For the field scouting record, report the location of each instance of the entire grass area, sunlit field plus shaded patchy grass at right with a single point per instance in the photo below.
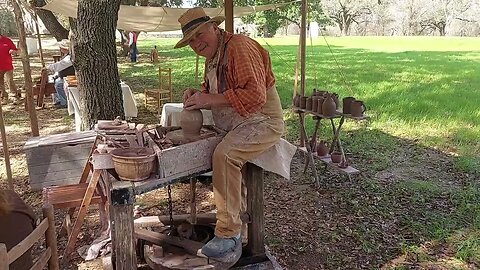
(421, 90)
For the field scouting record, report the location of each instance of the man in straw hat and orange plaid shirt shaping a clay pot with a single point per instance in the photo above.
(239, 88)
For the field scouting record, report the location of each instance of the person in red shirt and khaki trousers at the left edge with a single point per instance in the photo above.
(7, 48)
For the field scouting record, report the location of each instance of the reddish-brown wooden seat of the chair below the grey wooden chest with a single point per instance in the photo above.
(68, 196)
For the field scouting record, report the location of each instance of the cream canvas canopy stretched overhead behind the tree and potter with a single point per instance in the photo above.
(152, 19)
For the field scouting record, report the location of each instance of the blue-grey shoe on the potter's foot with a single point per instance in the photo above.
(223, 248)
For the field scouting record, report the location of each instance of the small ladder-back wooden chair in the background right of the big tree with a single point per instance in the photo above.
(164, 93)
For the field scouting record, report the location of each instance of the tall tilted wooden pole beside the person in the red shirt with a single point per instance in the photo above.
(27, 72)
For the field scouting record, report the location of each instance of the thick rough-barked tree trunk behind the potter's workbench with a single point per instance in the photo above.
(96, 61)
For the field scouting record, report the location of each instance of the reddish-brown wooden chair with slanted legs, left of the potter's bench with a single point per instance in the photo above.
(80, 196)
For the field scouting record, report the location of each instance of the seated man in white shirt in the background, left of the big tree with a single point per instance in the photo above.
(62, 69)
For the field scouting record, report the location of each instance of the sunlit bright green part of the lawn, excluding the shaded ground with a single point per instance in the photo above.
(421, 88)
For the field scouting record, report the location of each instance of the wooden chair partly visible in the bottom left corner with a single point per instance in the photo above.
(49, 256)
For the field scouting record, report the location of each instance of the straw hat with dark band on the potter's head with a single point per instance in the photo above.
(191, 21)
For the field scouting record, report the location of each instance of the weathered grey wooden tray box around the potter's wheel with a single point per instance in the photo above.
(186, 159)
